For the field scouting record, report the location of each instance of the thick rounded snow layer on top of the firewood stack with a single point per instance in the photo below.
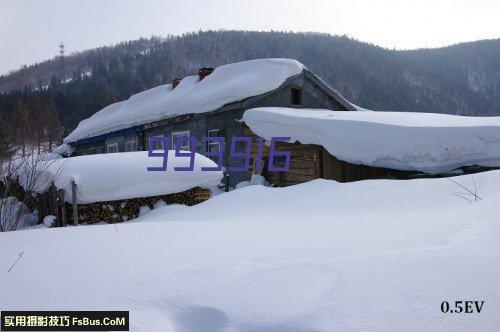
(107, 177)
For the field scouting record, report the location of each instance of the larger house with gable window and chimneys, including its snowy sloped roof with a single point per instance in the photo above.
(211, 103)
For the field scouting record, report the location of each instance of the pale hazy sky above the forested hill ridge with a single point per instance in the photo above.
(31, 30)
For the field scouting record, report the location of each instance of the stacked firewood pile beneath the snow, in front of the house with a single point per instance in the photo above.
(126, 209)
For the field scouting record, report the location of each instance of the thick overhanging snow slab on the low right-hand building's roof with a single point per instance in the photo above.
(427, 142)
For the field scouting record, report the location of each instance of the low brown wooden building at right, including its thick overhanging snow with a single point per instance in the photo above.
(350, 146)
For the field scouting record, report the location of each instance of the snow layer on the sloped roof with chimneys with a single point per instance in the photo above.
(227, 84)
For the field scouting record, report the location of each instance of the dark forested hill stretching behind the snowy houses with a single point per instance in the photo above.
(460, 79)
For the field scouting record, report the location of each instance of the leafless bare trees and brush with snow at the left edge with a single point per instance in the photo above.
(24, 169)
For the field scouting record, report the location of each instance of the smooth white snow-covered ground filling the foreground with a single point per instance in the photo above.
(320, 256)
